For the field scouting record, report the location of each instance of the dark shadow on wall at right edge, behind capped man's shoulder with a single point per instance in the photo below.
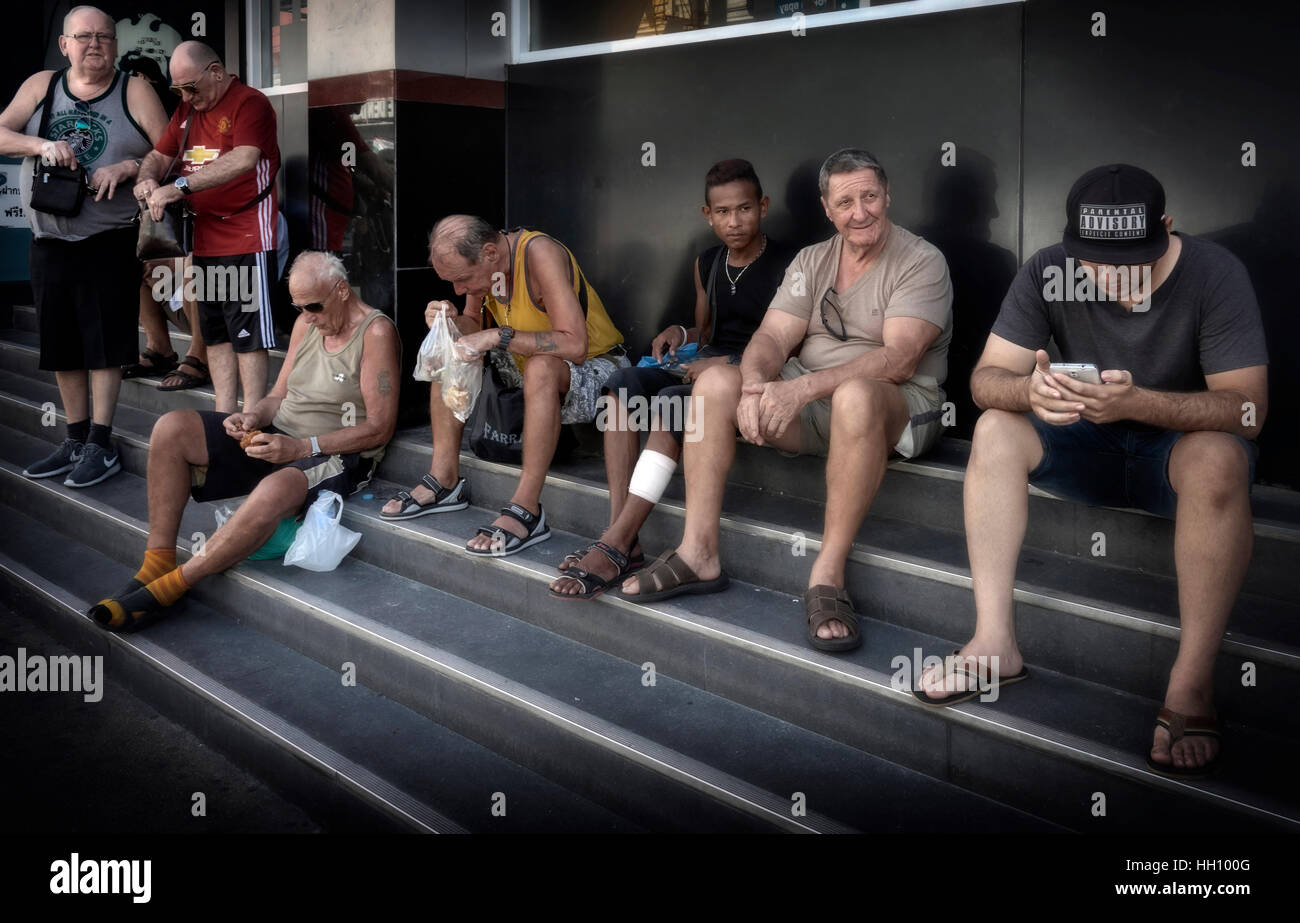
(1267, 246)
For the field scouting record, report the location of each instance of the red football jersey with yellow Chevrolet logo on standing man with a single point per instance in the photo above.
(244, 116)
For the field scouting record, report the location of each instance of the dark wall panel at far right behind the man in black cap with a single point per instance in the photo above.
(1177, 89)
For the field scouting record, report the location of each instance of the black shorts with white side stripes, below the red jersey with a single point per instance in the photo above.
(235, 298)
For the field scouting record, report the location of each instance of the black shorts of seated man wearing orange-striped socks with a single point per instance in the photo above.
(231, 473)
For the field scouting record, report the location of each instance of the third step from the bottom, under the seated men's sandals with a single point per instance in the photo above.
(747, 647)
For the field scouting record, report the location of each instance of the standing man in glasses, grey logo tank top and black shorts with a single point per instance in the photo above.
(85, 278)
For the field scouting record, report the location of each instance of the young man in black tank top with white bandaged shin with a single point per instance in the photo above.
(735, 283)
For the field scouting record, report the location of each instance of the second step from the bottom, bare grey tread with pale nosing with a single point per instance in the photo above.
(496, 679)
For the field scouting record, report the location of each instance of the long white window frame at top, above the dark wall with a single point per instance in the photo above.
(521, 53)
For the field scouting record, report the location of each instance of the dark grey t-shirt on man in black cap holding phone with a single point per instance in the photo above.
(1202, 320)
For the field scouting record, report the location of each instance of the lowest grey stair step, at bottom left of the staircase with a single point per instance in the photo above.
(348, 755)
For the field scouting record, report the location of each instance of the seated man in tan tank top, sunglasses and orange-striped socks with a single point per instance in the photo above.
(343, 367)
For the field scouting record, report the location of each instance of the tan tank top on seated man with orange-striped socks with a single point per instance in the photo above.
(326, 388)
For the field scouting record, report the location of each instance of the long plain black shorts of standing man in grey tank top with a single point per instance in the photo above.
(88, 298)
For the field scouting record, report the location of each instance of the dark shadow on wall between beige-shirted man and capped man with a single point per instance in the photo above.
(961, 206)
